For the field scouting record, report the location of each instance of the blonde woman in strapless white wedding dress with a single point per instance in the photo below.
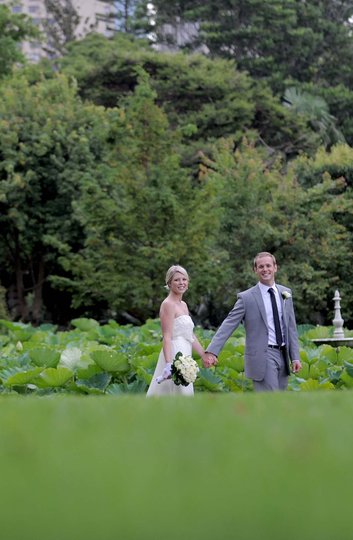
(178, 334)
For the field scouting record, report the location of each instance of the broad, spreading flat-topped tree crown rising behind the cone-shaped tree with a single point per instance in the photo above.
(205, 98)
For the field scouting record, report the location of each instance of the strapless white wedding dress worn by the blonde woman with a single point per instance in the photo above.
(182, 338)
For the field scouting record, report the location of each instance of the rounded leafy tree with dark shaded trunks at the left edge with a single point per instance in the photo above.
(49, 142)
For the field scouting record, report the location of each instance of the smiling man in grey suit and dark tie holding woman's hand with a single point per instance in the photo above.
(271, 343)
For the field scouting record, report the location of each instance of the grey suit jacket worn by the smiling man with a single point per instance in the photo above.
(249, 309)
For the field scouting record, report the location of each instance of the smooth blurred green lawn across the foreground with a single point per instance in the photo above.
(230, 466)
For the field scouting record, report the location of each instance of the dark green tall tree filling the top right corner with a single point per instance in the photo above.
(276, 39)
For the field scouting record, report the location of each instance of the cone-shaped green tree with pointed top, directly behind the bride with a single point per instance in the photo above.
(143, 215)
